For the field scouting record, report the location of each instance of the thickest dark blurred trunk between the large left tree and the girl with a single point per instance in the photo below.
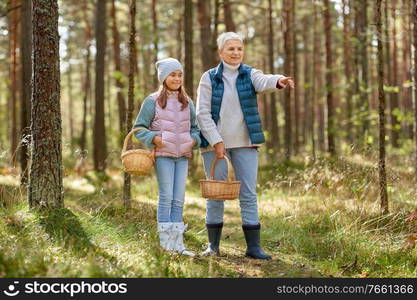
(99, 134)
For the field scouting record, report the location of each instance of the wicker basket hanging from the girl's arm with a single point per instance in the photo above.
(136, 161)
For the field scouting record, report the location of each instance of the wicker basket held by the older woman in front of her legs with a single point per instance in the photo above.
(220, 190)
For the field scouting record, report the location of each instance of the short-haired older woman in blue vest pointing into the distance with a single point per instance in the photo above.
(230, 124)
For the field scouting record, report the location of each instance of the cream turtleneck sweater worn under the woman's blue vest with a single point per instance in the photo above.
(231, 128)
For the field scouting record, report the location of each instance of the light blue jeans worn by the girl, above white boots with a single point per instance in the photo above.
(171, 174)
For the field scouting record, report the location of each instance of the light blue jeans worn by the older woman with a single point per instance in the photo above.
(245, 164)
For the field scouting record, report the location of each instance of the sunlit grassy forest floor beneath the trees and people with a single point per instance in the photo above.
(318, 219)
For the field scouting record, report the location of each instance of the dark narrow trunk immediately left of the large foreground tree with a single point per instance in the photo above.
(26, 53)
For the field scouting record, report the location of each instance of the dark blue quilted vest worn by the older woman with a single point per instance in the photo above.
(247, 99)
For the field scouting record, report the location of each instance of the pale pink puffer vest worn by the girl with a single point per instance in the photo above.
(173, 125)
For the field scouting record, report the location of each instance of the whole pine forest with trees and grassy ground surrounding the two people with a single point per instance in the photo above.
(337, 175)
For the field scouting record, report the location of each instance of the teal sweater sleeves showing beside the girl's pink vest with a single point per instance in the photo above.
(146, 115)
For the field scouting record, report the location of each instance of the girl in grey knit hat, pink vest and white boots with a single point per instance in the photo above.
(170, 126)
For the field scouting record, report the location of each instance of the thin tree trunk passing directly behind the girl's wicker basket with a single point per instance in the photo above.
(129, 112)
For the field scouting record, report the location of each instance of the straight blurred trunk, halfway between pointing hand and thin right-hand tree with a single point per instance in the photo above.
(329, 79)
